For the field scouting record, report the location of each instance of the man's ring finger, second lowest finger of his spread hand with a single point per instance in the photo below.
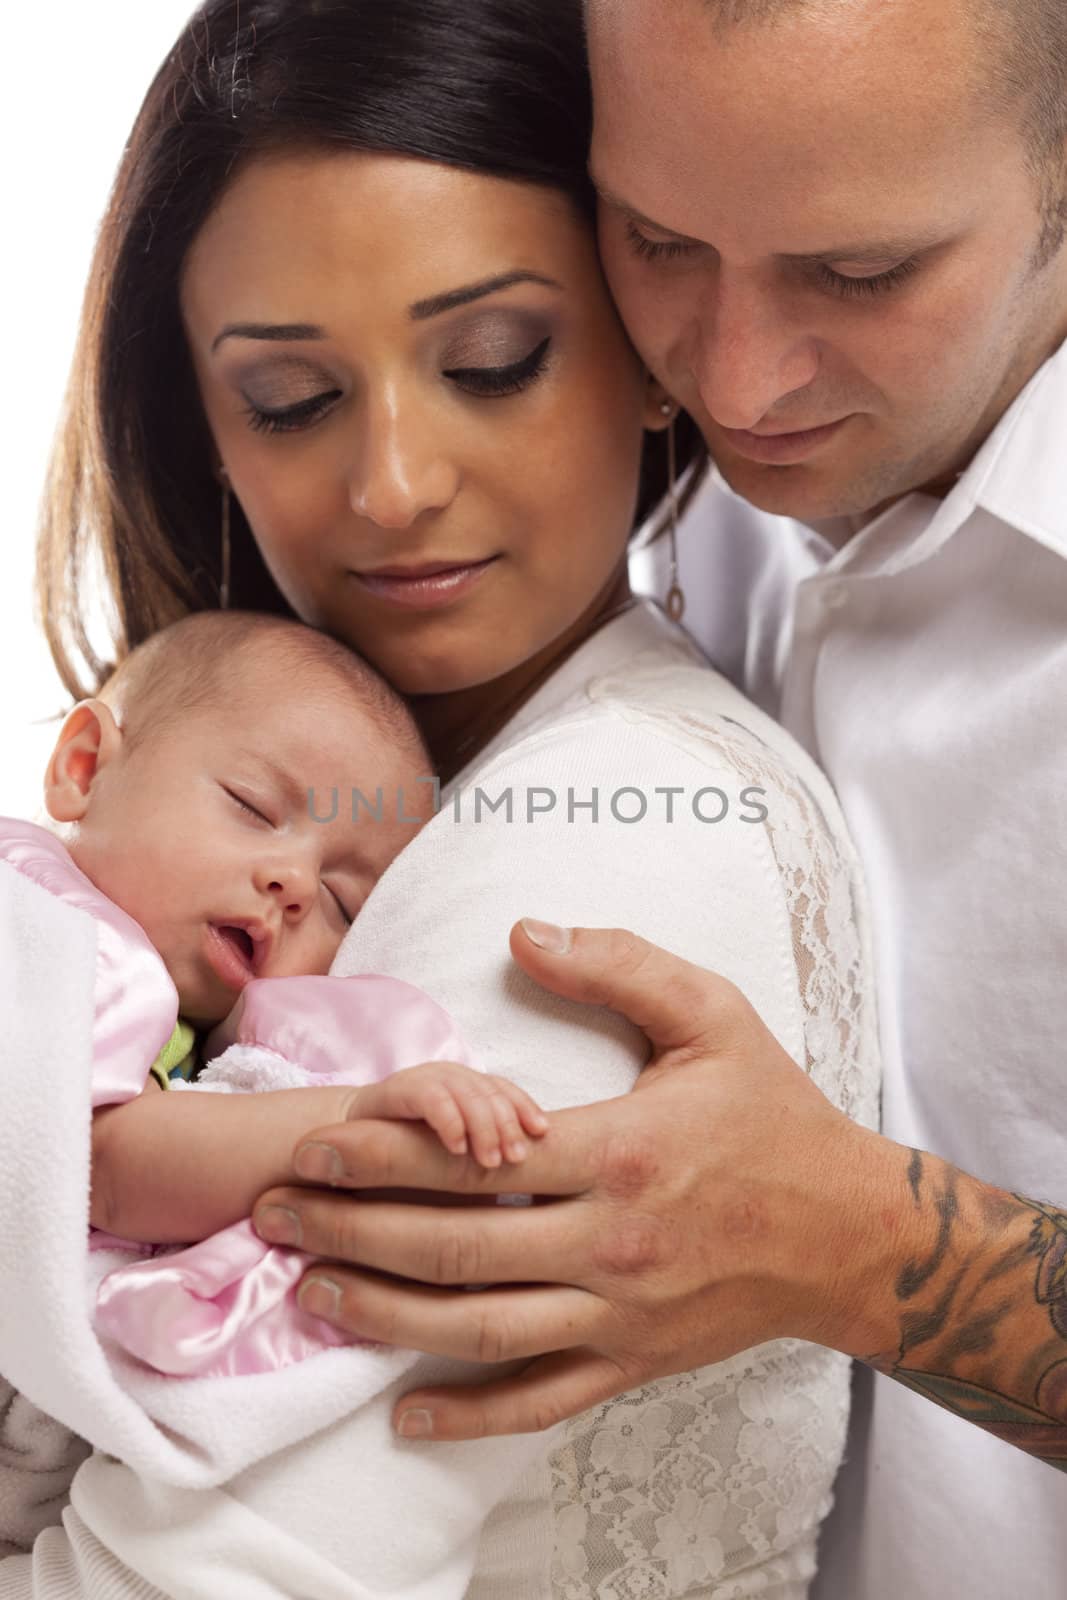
(489, 1326)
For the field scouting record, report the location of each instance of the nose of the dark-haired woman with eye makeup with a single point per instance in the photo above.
(402, 468)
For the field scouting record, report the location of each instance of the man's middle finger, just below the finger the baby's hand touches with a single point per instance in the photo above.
(439, 1246)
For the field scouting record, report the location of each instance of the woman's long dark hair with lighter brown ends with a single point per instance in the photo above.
(497, 87)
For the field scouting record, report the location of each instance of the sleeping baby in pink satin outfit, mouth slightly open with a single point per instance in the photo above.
(204, 801)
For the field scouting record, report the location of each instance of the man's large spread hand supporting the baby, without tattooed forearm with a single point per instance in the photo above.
(719, 1206)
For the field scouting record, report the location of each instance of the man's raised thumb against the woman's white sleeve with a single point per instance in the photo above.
(676, 1004)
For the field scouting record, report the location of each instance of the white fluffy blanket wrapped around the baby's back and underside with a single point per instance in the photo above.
(190, 1434)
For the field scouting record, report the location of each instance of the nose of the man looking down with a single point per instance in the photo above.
(748, 353)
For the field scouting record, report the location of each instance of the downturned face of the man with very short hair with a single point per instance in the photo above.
(823, 241)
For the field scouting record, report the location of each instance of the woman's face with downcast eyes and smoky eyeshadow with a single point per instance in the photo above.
(409, 372)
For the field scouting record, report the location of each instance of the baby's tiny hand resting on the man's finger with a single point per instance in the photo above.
(470, 1111)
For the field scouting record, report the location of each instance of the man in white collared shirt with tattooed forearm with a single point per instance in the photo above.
(836, 230)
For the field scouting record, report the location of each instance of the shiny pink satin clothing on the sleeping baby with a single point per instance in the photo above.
(225, 1306)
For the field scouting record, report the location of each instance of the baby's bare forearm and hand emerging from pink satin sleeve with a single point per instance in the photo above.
(175, 1169)
